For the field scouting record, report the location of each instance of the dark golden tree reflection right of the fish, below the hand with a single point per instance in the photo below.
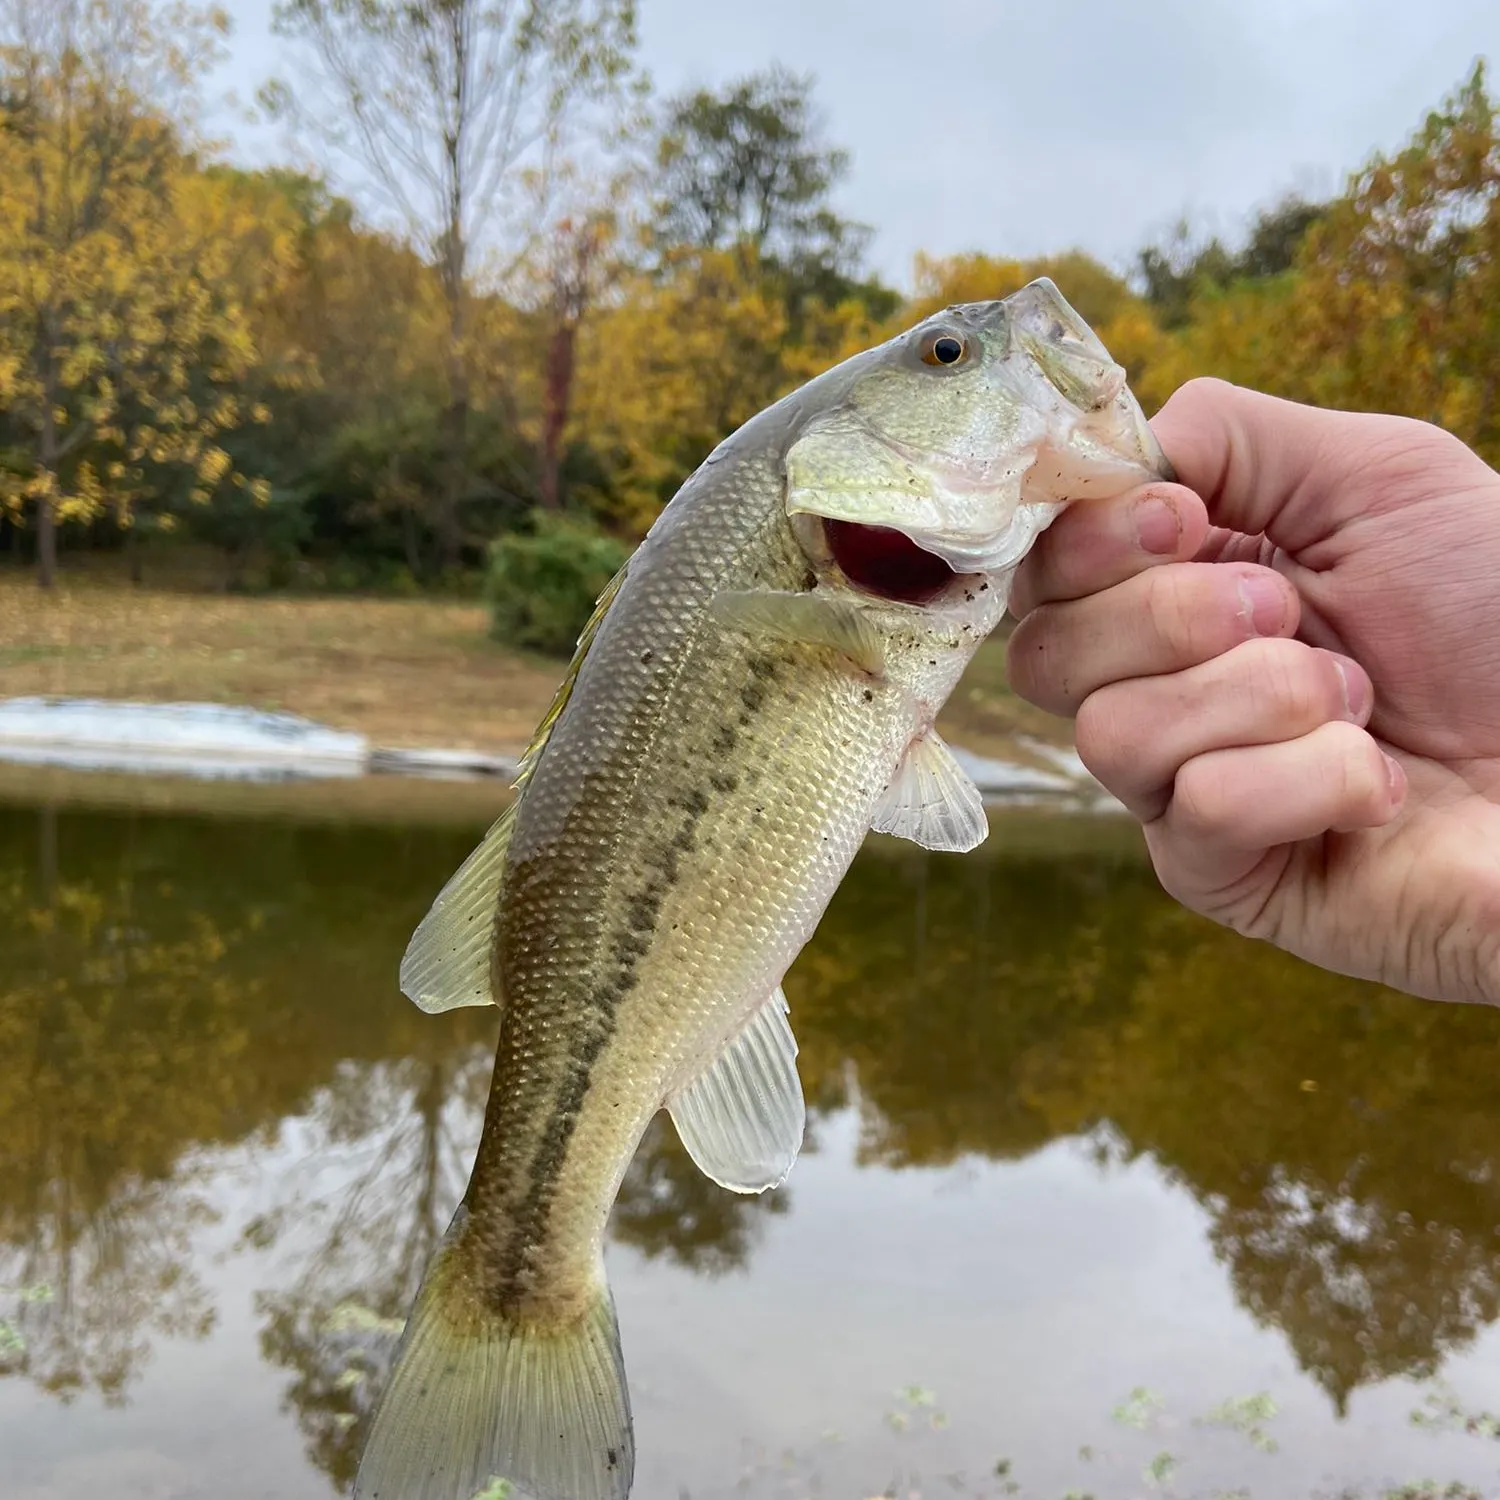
(1345, 1139)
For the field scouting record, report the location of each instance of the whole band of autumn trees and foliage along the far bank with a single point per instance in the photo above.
(242, 359)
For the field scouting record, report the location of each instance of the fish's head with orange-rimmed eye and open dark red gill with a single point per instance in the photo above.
(965, 436)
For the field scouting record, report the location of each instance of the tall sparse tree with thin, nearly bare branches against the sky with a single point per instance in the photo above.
(442, 107)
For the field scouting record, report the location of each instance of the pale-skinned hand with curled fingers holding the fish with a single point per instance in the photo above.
(1288, 667)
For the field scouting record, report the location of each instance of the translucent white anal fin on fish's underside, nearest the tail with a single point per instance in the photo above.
(743, 1120)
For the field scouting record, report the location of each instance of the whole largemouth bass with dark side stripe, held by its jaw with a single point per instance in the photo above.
(755, 692)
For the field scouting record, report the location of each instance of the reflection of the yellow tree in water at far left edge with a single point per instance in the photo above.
(113, 1028)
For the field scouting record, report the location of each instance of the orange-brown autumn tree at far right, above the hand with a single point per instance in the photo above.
(1393, 296)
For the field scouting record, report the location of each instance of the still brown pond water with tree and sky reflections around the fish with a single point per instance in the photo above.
(1097, 1198)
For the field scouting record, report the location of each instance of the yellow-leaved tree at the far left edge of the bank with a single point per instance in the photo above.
(122, 269)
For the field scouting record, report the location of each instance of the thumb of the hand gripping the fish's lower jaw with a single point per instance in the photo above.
(1270, 467)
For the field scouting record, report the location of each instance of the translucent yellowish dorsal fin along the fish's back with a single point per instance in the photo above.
(448, 962)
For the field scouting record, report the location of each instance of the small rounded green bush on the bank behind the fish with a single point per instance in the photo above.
(542, 584)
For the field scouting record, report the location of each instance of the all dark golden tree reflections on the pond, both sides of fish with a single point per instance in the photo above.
(175, 985)
